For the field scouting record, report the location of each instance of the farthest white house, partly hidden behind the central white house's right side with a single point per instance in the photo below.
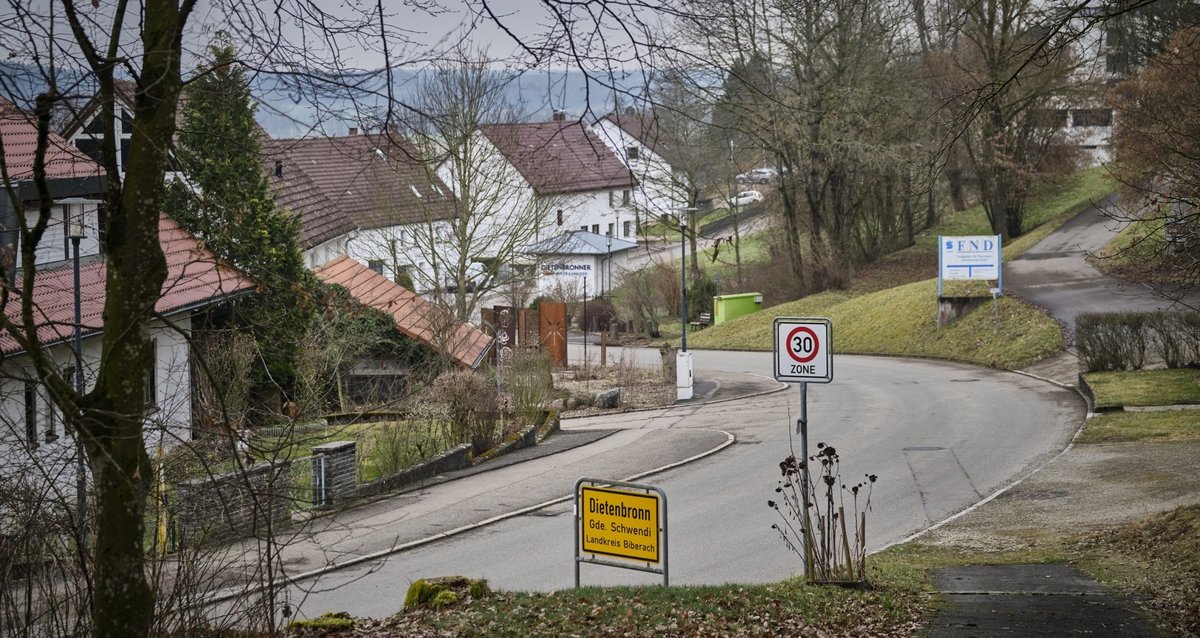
(641, 146)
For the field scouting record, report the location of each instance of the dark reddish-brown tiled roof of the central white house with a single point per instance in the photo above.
(560, 158)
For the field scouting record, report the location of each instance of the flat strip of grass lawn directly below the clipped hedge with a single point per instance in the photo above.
(1145, 388)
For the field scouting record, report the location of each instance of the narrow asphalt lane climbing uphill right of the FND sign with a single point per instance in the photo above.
(1055, 274)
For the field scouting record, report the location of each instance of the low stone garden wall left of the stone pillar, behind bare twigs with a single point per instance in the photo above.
(235, 504)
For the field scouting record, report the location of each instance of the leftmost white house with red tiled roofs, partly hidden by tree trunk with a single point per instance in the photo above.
(31, 426)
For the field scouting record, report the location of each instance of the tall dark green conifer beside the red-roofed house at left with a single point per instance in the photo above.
(225, 201)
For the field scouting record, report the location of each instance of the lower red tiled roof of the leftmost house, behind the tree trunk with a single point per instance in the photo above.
(194, 279)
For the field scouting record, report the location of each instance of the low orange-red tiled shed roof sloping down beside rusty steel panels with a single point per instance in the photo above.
(416, 317)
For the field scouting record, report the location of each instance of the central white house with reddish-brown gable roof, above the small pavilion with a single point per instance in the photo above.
(563, 165)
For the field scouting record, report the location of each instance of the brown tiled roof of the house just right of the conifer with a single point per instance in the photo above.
(373, 179)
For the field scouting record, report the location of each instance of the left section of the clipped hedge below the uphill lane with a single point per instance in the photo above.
(1112, 341)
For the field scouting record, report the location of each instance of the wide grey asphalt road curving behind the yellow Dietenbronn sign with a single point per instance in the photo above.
(940, 436)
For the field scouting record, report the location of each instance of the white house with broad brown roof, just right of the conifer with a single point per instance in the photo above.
(364, 196)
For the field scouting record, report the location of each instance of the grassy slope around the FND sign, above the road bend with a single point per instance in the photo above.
(892, 308)
